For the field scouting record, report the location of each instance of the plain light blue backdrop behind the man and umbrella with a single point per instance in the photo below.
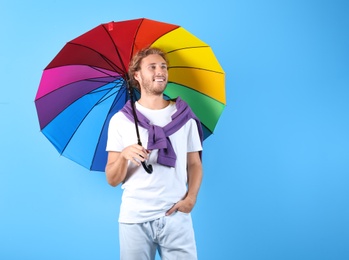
(276, 169)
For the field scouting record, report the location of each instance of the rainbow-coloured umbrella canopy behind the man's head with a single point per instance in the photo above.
(85, 84)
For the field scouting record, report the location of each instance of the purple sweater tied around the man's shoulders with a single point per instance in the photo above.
(158, 137)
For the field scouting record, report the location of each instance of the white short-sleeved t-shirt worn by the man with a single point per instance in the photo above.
(148, 196)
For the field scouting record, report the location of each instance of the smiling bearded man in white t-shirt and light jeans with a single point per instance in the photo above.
(155, 208)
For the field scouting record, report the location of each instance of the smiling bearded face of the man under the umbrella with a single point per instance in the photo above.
(153, 75)
